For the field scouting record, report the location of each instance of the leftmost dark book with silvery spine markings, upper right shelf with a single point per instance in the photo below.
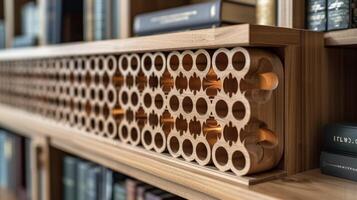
(316, 15)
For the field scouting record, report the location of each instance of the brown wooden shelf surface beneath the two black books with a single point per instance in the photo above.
(309, 185)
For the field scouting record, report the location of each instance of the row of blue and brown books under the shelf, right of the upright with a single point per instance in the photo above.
(84, 180)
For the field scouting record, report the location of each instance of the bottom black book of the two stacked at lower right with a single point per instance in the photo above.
(339, 165)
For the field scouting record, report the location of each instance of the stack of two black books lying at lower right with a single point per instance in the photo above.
(339, 157)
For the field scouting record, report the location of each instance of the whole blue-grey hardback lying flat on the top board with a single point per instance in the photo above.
(196, 16)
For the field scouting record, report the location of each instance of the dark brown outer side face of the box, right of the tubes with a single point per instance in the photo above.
(312, 106)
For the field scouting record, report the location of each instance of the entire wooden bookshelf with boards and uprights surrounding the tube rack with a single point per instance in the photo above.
(308, 67)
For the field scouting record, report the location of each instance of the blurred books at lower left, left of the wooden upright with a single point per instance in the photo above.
(15, 164)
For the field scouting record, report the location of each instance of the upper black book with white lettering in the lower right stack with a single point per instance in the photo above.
(340, 138)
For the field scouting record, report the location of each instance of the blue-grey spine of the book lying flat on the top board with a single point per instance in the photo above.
(185, 17)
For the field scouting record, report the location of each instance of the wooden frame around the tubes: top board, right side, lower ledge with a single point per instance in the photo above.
(287, 43)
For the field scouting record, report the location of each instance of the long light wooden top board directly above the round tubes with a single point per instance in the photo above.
(231, 36)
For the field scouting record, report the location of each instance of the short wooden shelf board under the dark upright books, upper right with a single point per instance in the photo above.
(347, 38)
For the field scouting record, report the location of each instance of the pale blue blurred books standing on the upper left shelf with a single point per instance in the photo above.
(29, 26)
